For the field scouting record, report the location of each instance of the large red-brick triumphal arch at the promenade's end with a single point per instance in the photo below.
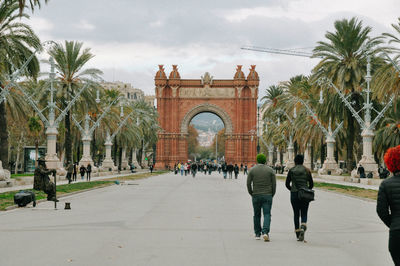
(234, 101)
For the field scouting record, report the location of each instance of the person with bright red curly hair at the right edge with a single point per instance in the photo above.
(388, 203)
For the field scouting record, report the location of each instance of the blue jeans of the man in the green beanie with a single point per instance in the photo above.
(264, 203)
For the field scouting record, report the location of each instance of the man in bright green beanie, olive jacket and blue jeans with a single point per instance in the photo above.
(261, 185)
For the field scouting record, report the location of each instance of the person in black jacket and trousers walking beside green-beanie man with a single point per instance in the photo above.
(299, 177)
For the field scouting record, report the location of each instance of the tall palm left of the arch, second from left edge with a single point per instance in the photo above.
(69, 62)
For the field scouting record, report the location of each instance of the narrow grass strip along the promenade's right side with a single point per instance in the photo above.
(348, 190)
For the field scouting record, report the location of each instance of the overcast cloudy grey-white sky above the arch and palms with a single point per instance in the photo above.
(131, 37)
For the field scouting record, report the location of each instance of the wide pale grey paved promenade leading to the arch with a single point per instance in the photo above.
(175, 220)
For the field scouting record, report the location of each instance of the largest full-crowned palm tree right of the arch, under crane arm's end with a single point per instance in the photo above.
(344, 62)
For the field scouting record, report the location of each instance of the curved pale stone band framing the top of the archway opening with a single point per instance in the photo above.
(207, 107)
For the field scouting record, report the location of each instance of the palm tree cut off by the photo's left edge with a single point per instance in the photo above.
(17, 43)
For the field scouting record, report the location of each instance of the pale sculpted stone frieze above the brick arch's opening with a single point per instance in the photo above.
(207, 92)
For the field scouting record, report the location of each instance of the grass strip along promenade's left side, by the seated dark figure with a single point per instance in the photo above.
(7, 198)
